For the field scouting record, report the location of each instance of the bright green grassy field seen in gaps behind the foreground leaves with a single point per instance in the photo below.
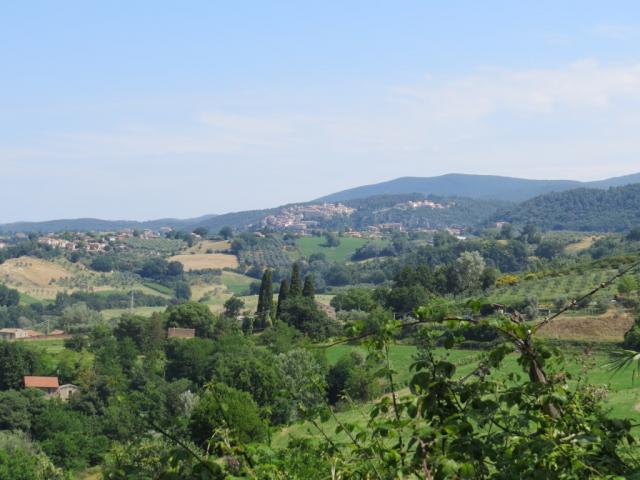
(623, 398)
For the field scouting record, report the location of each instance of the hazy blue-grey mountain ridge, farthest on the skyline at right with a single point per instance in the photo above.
(488, 187)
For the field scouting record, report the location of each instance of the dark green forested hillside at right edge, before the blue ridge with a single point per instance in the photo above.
(582, 209)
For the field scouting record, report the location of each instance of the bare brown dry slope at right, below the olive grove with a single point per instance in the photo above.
(609, 327)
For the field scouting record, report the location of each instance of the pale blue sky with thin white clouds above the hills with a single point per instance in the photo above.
(145, 109)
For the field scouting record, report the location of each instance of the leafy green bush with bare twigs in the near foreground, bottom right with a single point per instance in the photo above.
(537, 424)
